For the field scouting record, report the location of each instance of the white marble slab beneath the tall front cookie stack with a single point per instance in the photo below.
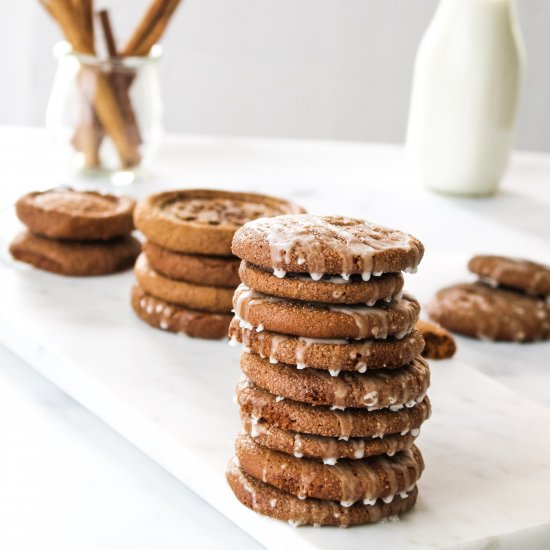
(486, 447)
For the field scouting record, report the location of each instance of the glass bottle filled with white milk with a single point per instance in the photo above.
(464, 98)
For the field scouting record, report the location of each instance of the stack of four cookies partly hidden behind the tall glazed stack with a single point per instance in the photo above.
(187, 274)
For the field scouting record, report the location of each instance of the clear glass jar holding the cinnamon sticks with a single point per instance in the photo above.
(106, 112)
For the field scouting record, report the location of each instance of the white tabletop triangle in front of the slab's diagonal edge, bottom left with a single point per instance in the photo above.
(69, 481)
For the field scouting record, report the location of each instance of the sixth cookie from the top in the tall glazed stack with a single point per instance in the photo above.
(299, 417)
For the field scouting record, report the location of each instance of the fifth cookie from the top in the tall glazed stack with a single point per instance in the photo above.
(377, 390)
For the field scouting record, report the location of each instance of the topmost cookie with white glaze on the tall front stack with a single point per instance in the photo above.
(326, 245)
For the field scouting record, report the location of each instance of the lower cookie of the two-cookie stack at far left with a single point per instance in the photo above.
(76, 258)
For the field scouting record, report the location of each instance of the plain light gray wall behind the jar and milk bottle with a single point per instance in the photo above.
(327, 69)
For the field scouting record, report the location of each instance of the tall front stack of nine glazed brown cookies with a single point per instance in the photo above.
(334, 388)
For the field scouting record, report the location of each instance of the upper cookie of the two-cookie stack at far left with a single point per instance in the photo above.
(76, 215)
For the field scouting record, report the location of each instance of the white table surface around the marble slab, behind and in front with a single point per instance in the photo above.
(370, 181)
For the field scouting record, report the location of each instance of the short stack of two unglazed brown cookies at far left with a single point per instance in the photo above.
(76, 232)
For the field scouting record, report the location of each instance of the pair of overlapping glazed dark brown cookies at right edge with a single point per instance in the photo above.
(509, 302)
